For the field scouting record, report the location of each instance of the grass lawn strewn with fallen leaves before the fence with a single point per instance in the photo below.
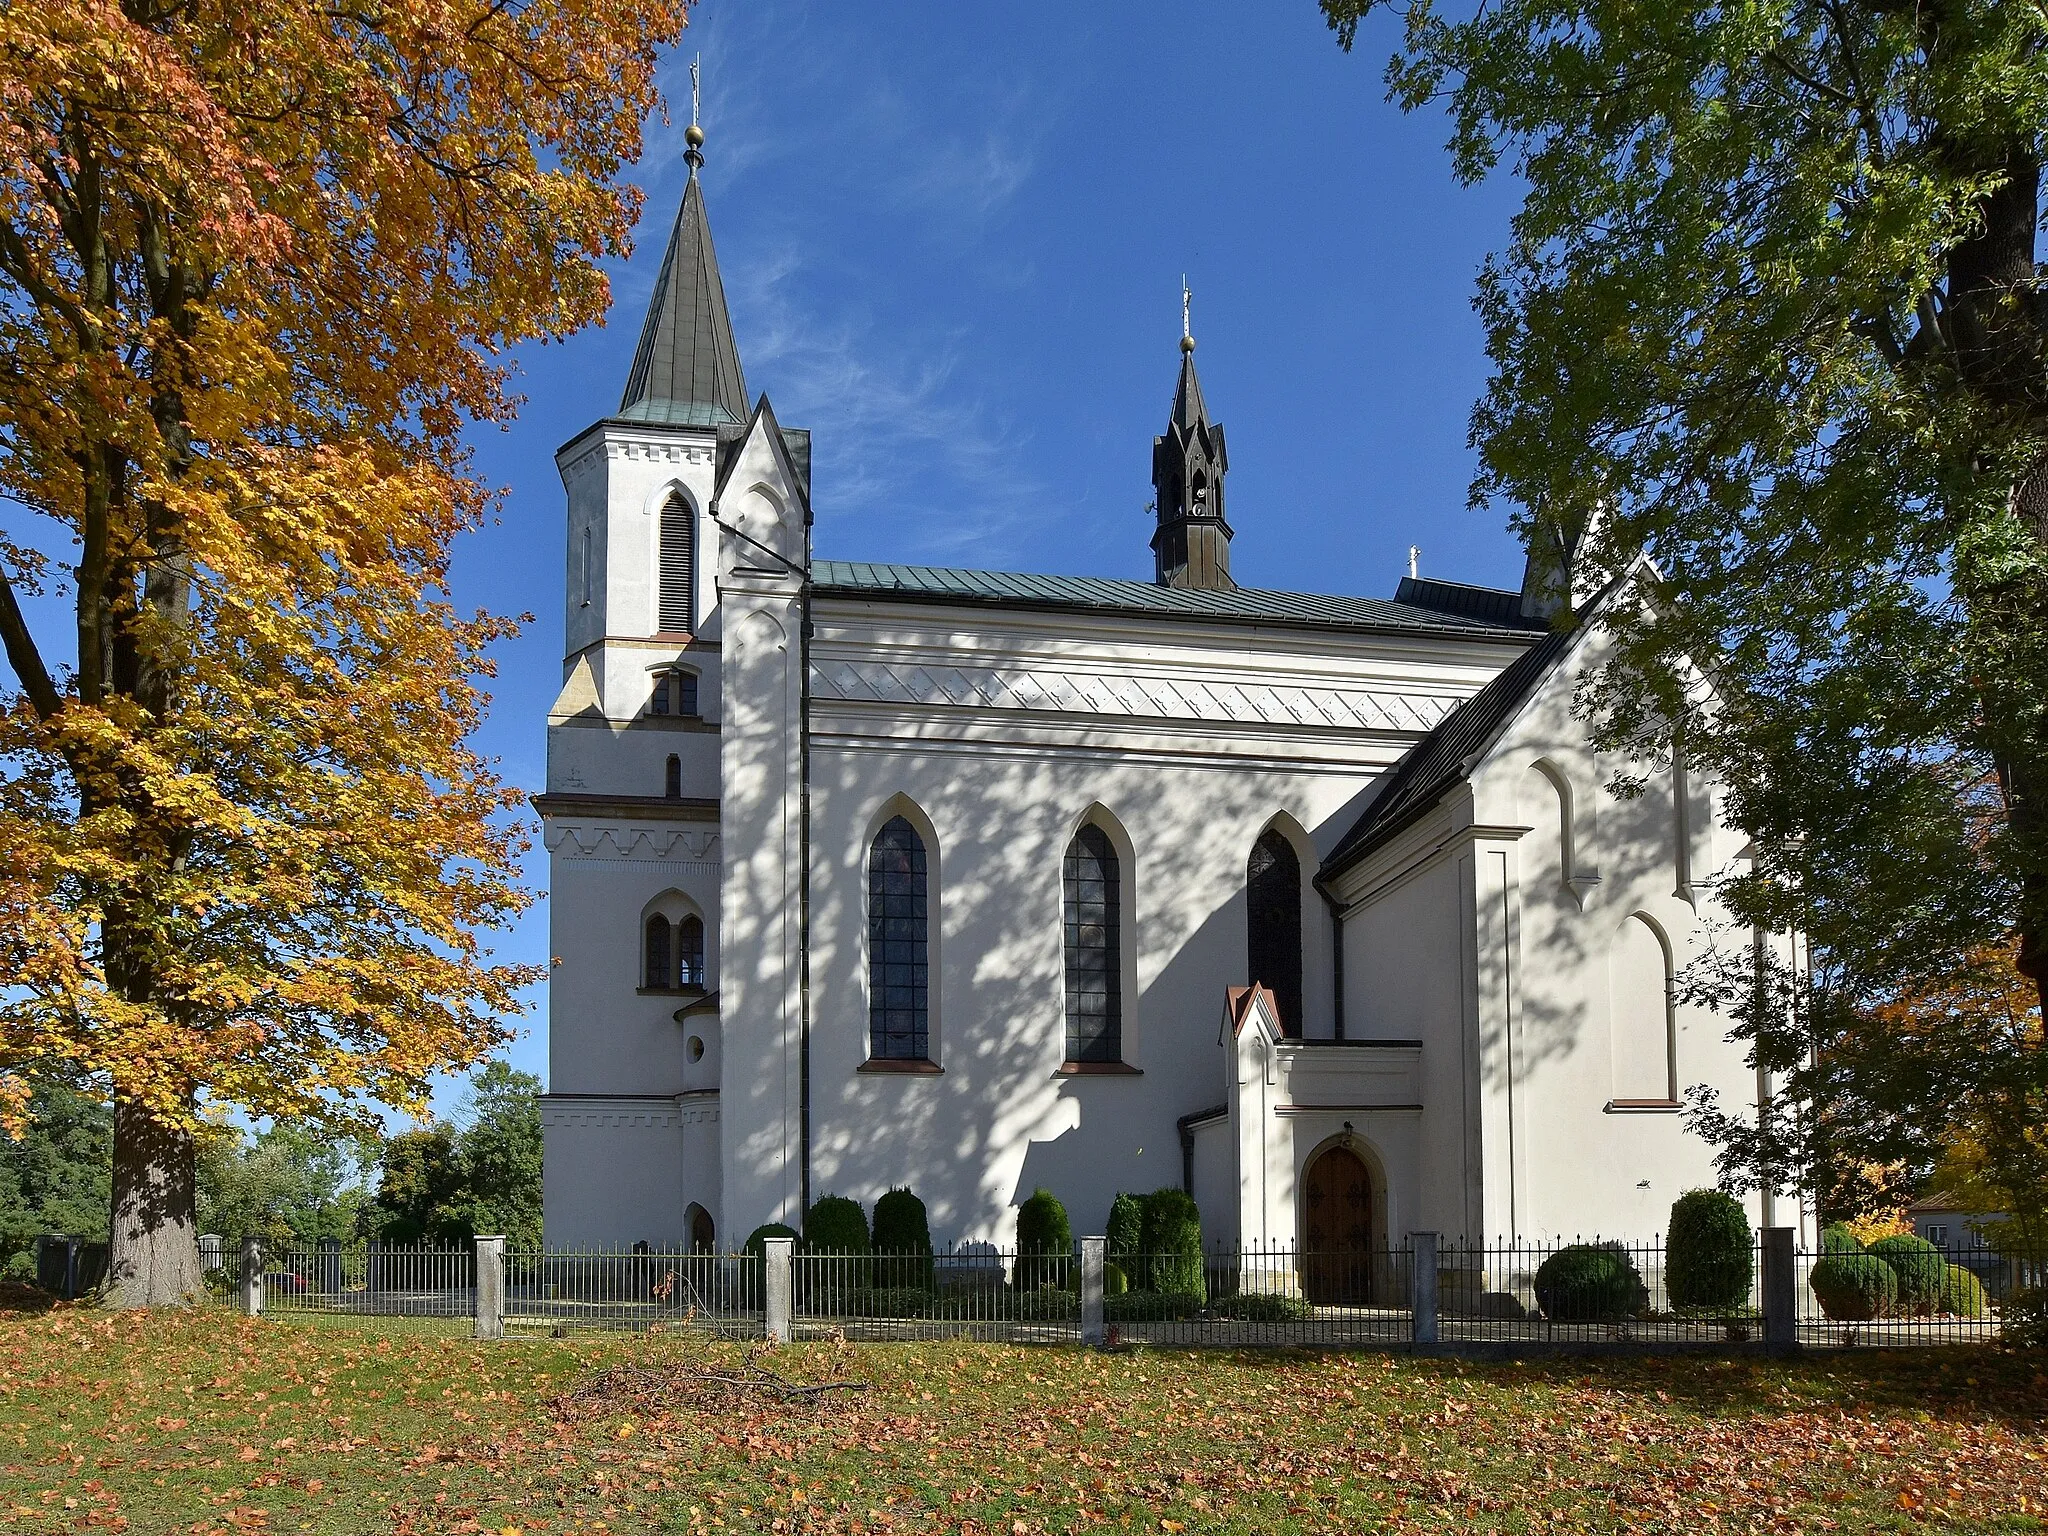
(208, 1422)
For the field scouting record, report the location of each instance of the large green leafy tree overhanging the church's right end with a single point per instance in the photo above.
(1770, 314)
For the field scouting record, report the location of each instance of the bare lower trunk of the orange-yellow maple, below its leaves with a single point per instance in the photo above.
(155, 1254)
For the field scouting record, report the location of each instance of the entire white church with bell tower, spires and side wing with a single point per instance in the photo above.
(871, 876)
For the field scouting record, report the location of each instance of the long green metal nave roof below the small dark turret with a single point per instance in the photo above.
(1103, 595)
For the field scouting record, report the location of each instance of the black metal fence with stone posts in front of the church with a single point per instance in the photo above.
(1424, 1293)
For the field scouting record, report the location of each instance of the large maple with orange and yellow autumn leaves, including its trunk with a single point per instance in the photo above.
(257, 269)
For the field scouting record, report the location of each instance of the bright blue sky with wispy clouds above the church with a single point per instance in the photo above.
(953, 241)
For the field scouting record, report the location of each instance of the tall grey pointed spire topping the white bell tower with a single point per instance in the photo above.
(687, 368)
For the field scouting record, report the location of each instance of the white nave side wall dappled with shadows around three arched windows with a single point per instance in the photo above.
(1005, 790)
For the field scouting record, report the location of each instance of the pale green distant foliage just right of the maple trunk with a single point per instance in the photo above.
(292, 1187)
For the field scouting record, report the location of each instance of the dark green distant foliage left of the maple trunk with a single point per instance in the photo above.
(58, 1177)
